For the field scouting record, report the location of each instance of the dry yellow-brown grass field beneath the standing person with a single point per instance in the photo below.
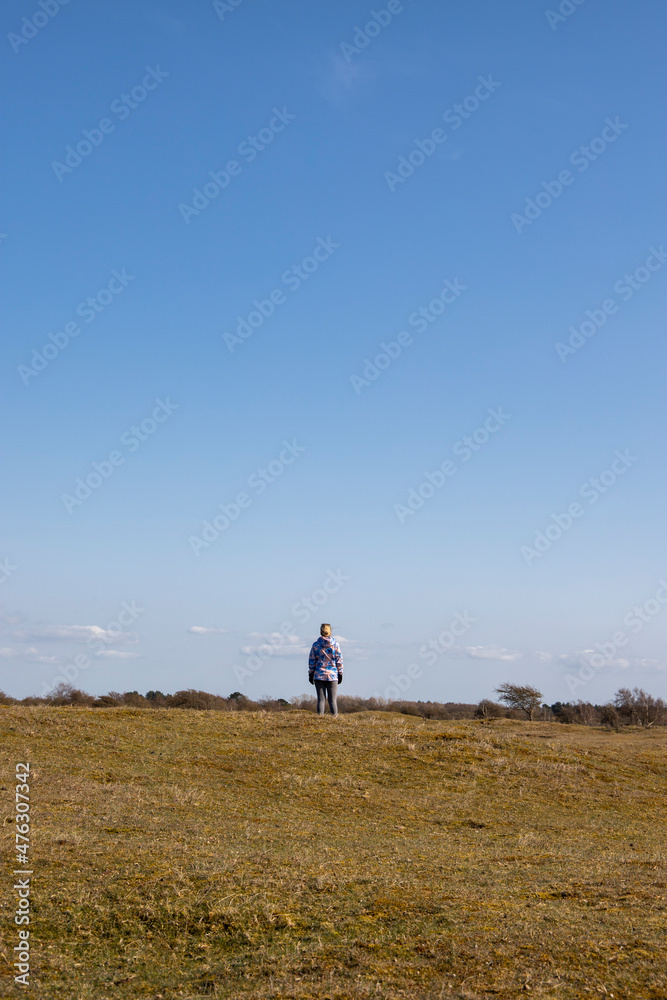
(183, 854)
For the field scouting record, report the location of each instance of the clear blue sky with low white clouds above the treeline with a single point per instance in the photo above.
(160, 96)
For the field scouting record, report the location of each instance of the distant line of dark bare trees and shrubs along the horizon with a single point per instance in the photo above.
(634, 708)
